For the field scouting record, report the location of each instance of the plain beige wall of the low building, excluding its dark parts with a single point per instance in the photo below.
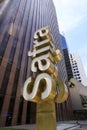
(75, 93)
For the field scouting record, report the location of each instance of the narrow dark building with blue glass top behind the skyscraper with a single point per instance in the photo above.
(66, 57)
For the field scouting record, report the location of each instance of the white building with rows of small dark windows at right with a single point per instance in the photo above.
(78, 69)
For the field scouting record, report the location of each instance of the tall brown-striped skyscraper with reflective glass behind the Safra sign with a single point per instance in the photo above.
(17, 29)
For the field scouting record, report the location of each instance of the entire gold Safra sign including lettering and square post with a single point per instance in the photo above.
(45, 87)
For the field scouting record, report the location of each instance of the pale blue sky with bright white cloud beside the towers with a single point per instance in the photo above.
(72, 21)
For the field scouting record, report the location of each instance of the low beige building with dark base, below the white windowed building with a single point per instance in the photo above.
(79, 99)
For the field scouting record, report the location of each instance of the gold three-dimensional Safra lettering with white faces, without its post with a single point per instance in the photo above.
(45, 85)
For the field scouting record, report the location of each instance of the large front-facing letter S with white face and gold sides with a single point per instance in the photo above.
(43, 81)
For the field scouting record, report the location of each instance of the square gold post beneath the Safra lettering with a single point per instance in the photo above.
(46, 116)
